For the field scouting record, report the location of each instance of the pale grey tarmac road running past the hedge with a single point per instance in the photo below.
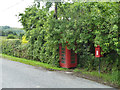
(18, 75)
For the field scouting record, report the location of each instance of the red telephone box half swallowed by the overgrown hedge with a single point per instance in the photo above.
(68, 58)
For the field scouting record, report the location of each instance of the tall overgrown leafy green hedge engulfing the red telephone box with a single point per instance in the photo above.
(84, 24)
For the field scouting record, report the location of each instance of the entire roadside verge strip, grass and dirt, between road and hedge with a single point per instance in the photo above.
(76, 72)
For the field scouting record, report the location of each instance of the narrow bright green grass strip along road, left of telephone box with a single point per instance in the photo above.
(33, 63)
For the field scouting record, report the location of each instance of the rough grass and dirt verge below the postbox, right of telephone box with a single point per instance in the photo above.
(110, 79)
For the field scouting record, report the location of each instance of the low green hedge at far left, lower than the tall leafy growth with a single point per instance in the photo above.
(14, 47)
